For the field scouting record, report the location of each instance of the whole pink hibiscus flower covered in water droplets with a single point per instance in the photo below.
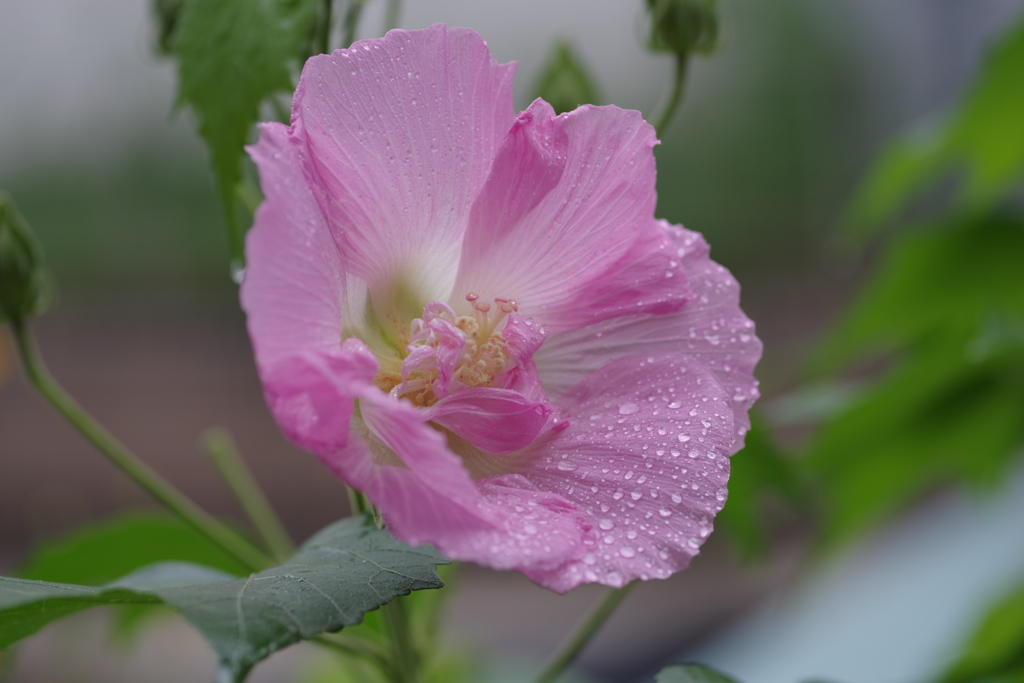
(474, 317)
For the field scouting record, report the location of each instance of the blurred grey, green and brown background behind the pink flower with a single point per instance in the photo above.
(892, 320)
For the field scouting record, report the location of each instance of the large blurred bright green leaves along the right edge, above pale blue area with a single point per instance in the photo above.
(943, 316)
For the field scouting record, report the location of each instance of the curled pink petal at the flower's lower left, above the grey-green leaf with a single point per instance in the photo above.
(426, 496)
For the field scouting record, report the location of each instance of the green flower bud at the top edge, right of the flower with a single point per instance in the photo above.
(684, 27)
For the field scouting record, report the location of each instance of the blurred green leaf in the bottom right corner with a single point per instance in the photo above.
(996, 652)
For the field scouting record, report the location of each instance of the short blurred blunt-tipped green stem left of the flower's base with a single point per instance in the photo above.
(225, 455)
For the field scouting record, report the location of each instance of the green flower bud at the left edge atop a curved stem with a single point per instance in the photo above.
(24, 284)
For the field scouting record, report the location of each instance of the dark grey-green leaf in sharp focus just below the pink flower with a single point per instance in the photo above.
(346, 571)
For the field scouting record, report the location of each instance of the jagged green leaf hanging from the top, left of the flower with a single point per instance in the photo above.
(233, 55)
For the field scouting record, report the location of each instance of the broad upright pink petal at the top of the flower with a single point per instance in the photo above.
(402, 134)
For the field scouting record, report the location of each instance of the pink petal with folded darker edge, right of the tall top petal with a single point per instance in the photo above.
(584, 248)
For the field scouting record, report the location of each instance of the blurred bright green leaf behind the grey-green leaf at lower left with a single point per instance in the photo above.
(101, 553)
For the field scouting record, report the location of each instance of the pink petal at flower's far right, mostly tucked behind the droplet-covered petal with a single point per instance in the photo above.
(710, 328)
